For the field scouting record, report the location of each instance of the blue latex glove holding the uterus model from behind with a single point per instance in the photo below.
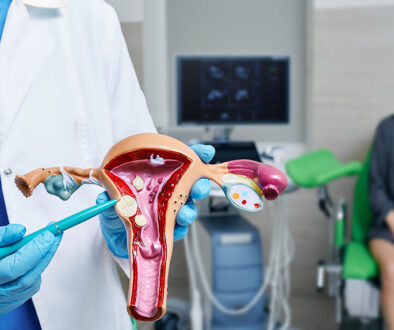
(113, 229)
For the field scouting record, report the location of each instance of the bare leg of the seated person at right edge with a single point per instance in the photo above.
(383, 252)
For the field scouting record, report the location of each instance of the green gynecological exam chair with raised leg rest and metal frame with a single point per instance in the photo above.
(350, 262)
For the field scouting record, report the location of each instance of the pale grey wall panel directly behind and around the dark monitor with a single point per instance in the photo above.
(230, 27)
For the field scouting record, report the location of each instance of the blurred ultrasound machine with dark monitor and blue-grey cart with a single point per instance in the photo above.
(224, 250)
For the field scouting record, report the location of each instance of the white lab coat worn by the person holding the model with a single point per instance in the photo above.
(68, 91)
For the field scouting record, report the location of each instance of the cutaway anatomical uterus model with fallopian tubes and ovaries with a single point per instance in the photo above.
(151, 176)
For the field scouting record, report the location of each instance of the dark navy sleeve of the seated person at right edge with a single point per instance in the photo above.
(380, 201)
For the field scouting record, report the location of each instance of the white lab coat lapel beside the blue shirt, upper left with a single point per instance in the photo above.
(23, 52)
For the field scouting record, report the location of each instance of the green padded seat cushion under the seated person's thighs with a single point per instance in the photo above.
(358, 262)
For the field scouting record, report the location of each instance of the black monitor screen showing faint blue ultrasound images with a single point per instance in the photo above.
(233, 90)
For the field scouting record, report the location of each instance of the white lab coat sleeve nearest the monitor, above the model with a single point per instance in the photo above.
(129, 111)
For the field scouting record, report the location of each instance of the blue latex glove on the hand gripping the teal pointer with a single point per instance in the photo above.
(20, 273)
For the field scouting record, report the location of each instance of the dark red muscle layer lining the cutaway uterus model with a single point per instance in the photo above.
(162, 203)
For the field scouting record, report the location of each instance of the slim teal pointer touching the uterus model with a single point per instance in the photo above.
(60, 226)
